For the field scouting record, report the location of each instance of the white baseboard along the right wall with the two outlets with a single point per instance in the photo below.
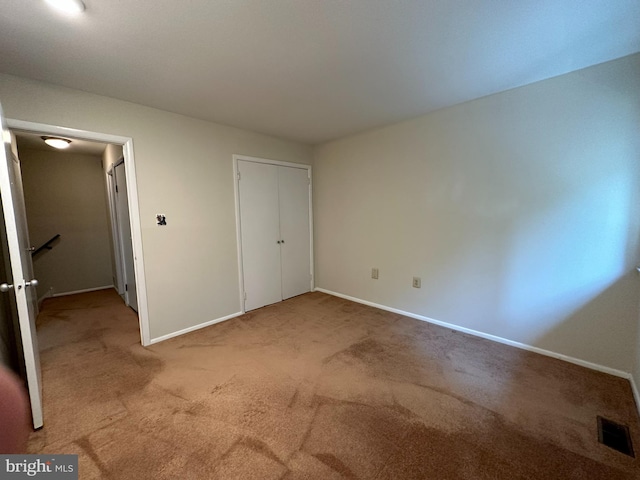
(524, 346)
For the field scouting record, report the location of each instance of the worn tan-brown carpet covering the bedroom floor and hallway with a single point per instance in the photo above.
(316, 388)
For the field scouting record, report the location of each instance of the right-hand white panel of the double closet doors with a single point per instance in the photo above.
(294, 231)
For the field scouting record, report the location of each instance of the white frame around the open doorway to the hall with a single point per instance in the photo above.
(134, 206)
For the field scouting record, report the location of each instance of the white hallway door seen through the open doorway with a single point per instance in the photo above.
(122, 203)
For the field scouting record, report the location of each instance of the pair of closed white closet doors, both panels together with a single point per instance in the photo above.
(275, 232)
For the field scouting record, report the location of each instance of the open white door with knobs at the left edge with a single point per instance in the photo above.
(22, 285)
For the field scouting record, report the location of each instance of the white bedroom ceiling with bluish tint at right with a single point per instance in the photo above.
(311, 70)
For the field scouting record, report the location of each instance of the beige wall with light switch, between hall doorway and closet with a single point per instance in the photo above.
(184, 169)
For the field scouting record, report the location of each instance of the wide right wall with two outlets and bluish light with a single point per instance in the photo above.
(520, 211)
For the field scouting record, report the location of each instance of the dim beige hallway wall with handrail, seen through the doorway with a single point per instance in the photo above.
(64, 193)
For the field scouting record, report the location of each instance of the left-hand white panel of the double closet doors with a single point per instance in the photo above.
(260, 233)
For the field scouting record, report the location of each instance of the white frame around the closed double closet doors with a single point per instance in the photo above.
(236, 187)
